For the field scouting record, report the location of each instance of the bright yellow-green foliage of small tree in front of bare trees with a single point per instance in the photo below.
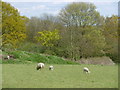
(47, 38)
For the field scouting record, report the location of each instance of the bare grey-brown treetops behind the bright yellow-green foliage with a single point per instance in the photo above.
(45, 22)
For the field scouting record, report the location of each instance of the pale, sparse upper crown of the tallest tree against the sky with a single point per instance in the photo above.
(80, 14)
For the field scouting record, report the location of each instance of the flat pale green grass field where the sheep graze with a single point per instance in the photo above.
(63, 76)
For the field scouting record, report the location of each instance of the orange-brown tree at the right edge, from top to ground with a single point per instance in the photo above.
(111, 36)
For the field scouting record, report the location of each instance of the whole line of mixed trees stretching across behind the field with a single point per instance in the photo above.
(78, 31)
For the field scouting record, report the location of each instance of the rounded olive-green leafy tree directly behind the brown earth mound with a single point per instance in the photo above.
(94, 42)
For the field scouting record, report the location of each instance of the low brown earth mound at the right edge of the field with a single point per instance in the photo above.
(97, 60)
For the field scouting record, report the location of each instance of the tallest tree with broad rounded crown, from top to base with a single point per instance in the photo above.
(82, 19)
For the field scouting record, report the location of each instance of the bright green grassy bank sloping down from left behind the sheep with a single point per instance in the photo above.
(23, 57)
